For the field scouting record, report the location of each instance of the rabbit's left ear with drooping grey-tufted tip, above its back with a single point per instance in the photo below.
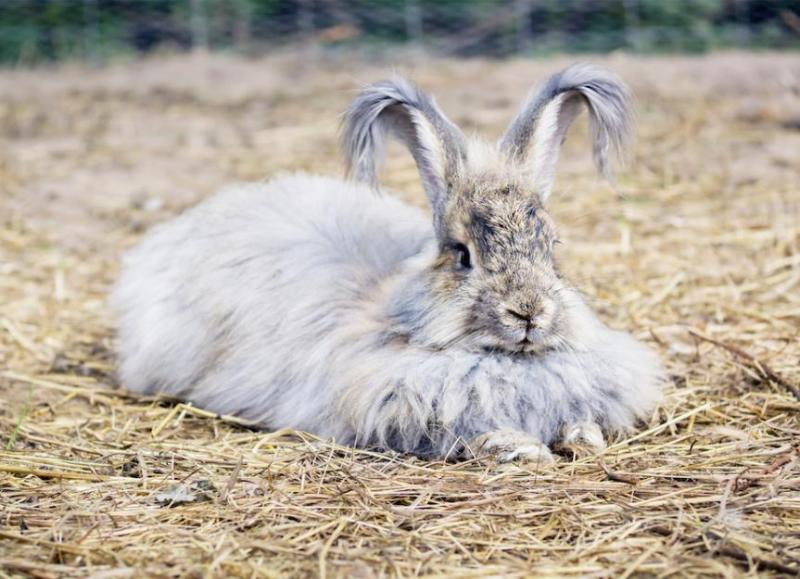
(397, 107)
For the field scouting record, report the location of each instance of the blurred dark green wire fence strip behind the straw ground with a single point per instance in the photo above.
(40, 30)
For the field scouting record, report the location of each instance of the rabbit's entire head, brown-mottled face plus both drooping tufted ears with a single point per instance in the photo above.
(495, 264)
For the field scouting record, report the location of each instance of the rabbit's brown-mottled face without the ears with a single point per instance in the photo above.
(497, 260)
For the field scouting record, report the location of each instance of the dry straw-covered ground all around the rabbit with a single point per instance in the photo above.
(700, 256)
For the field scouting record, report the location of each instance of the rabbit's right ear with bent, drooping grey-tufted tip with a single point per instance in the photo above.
(536, 134)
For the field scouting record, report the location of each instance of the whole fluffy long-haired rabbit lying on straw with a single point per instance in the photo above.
(326, 306)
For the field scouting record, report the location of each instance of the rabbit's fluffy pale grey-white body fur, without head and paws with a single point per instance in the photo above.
(269, 302)
